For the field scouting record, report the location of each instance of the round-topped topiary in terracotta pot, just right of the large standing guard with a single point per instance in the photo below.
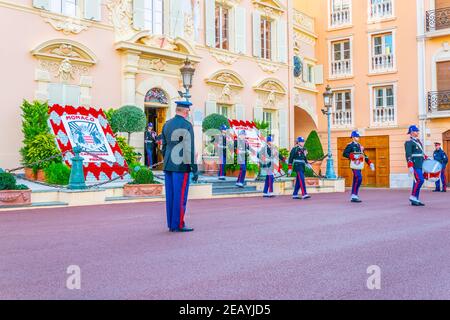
(211, 127)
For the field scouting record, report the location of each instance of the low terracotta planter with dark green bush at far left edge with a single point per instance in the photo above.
(12, 194)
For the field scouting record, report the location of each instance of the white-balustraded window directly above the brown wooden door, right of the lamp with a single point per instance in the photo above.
(384, 105)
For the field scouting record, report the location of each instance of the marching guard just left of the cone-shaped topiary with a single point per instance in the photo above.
(298, 162)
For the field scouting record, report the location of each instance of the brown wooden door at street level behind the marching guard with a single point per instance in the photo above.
(377, 149)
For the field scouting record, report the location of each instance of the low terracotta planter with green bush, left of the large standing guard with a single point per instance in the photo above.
(143, 184)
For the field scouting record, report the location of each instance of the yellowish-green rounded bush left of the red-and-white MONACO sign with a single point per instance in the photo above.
(42, 147)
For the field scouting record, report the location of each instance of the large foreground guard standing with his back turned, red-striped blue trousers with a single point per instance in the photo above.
(179, 161)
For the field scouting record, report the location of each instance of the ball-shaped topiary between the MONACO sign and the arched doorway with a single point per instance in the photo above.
(128, 119)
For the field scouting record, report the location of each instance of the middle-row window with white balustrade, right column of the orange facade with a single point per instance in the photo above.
(382, 53)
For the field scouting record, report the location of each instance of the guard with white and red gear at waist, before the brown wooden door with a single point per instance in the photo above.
(355, 153)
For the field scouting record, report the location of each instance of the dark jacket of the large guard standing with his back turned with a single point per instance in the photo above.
(178, 145)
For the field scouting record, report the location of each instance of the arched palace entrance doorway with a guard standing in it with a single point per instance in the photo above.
(156, 104)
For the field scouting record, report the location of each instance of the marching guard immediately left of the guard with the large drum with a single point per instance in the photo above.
(415, 156)
